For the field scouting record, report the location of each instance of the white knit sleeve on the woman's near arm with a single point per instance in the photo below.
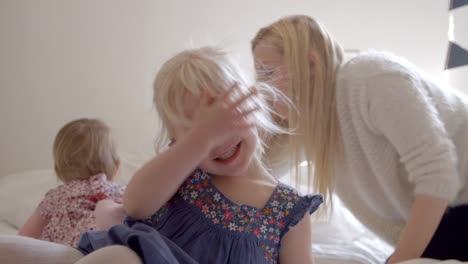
(401, 110)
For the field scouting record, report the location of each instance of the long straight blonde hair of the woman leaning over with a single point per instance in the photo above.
(312, 59)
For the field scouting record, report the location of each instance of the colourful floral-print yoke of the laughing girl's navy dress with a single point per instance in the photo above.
(266, 224)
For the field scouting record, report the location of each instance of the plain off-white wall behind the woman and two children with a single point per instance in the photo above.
(64, 59)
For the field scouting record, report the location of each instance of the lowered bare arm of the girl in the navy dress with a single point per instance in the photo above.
(296, 245)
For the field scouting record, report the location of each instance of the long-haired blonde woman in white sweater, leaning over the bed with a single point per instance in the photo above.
(375, 130)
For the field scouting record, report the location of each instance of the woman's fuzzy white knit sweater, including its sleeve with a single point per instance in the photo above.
(402, 135)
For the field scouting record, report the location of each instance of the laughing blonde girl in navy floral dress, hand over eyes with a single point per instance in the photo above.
(207, 198)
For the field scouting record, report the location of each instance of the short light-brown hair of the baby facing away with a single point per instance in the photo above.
(84, 148)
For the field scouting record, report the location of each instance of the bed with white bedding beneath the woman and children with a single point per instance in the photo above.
(339, 240)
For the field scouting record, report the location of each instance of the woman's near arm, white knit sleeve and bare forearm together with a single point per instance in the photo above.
(402, 111)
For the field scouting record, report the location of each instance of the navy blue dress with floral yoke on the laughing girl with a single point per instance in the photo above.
(201, 225)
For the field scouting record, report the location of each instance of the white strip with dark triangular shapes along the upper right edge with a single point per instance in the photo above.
(457, 55)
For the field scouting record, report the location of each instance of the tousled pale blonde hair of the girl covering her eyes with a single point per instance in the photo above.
(205, 70)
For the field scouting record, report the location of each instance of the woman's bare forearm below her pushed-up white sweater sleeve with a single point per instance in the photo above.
(425, 217)
